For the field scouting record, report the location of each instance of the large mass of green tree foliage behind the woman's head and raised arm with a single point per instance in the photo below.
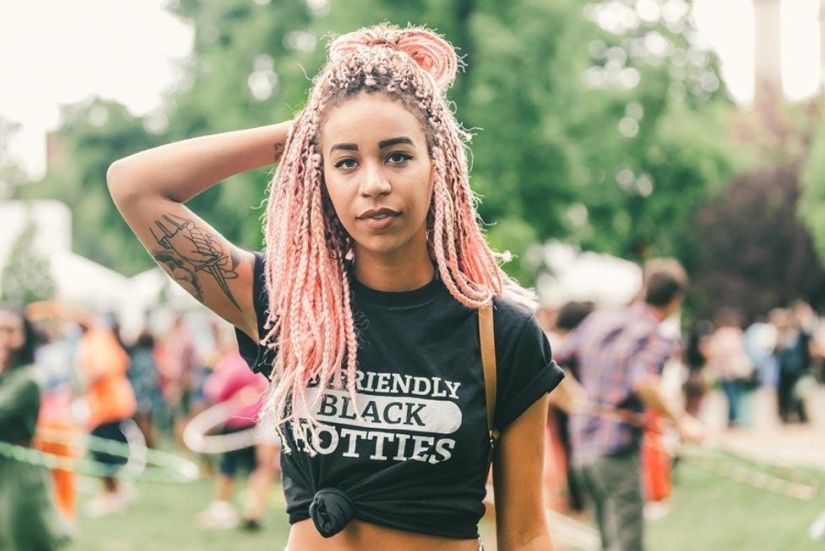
(609, 136)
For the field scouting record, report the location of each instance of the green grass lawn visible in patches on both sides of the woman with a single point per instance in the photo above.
(708, 512)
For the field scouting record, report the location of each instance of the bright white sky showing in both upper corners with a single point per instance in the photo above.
(55, 52)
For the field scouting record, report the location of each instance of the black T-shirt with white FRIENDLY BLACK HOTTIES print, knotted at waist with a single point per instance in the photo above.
(417, 459)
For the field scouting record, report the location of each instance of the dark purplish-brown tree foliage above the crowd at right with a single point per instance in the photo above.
(756, 255)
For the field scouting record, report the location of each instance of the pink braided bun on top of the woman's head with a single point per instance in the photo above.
(434, 55)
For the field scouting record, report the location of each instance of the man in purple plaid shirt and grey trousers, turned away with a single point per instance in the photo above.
(618, 357)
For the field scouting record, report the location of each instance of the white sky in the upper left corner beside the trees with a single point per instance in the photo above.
(55, 52)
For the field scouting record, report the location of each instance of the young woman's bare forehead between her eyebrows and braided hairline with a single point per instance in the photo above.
(368, 118)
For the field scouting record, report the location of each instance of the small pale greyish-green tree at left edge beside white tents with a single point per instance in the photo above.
(27, 273)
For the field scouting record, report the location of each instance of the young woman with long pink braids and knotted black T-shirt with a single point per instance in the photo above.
(363, 308)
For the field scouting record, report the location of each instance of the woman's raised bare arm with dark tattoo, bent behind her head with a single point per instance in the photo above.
(150, 189)
